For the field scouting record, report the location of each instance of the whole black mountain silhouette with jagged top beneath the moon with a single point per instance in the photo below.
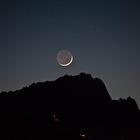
(71, 107)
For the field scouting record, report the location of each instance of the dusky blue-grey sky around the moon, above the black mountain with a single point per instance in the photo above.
(103, 36)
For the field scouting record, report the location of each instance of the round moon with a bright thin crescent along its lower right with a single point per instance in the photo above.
(64, 58)
